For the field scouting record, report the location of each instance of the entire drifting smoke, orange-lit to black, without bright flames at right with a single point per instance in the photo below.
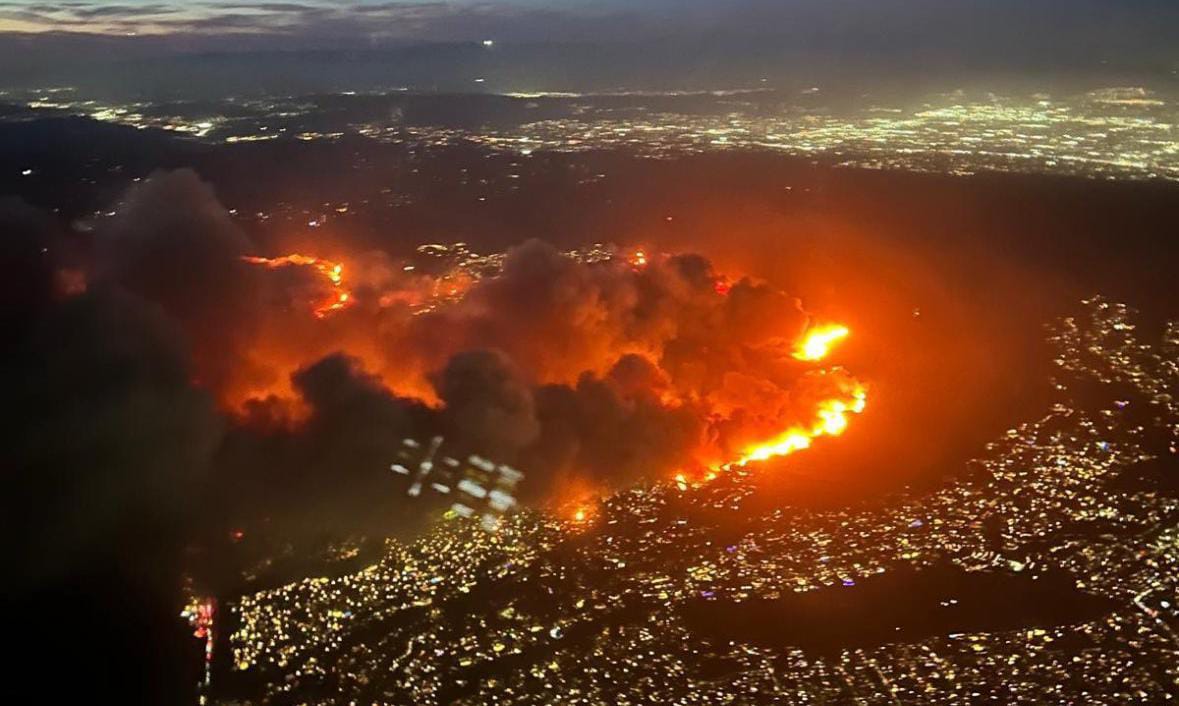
(585, 373)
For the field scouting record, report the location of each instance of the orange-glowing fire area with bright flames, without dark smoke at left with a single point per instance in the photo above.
(651, 339)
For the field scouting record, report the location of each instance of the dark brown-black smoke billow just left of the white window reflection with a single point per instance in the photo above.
(330, 474)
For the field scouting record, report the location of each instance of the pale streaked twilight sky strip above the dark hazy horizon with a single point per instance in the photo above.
(312, 23)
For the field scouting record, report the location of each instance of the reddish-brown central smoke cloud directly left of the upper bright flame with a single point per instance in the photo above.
(558, 319)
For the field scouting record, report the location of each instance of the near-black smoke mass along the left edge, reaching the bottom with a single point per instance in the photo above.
(106, 446)
